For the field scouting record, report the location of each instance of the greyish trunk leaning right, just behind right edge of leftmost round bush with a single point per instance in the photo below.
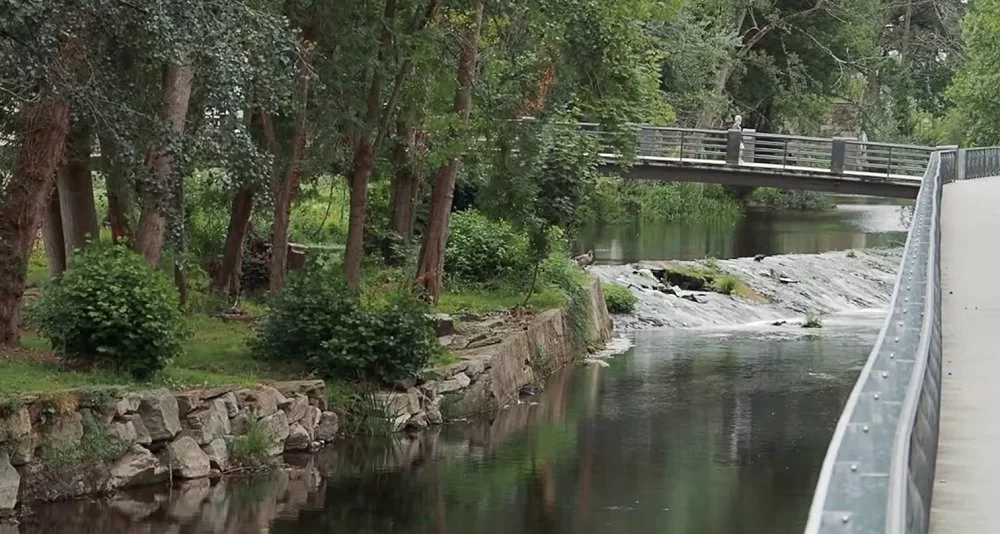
(177, 81)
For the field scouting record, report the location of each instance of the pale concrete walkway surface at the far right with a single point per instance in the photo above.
(967, 481)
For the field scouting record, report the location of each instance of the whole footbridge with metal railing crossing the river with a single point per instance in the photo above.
(752, 159)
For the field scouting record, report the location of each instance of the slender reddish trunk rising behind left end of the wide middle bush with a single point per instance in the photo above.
(284, 189)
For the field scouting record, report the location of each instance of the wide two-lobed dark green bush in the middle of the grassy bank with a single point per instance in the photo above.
(317, 320)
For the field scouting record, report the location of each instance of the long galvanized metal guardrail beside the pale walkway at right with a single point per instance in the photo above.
(878, 475)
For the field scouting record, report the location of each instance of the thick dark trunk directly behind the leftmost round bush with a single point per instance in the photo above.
(76, 191)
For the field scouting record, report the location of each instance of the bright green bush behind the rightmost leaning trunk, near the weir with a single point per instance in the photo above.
(482, 251)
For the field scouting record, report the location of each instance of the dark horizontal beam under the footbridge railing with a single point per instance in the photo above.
(812, 180)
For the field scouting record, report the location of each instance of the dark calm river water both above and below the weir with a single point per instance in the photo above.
(714, 429)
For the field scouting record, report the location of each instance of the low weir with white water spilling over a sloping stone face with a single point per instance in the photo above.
(790, 286)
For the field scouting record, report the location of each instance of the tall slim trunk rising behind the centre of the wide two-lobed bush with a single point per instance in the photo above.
(364, 158)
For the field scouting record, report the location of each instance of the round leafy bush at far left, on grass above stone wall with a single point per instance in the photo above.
(110, 308)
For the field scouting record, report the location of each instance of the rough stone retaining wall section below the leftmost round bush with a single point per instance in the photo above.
(87, 442)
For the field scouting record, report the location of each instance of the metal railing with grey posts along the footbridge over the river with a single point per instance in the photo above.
(655, 145)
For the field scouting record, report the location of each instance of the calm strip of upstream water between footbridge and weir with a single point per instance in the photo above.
(757, 232)
